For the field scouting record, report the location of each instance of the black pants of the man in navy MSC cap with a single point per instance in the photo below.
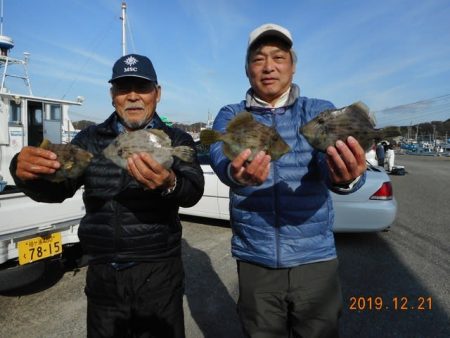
(145, 300)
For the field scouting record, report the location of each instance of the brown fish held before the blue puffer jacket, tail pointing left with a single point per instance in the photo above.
(243, 132)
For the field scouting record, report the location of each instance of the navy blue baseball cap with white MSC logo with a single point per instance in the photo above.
(134, 65)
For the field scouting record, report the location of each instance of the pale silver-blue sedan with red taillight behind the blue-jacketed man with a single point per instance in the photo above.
(371, 208)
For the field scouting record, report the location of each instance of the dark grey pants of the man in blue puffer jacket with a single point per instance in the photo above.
(304, 301)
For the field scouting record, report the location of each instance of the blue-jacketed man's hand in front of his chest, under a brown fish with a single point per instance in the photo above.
(253, 173)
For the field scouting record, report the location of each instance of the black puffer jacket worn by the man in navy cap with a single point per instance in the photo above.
(124, 221)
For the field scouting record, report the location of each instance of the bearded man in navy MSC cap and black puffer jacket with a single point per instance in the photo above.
(131, 231)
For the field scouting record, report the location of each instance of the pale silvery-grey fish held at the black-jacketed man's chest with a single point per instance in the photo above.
(153, 141)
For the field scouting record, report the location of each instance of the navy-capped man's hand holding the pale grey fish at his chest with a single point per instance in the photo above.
(149, 172)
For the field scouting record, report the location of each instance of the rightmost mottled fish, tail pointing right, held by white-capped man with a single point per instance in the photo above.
(338, 124)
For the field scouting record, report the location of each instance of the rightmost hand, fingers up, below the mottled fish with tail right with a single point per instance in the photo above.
(346, 161)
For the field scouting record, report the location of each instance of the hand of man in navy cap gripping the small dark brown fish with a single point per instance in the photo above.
(33, 162)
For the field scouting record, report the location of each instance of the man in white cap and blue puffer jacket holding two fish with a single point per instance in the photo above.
(281, 211)
